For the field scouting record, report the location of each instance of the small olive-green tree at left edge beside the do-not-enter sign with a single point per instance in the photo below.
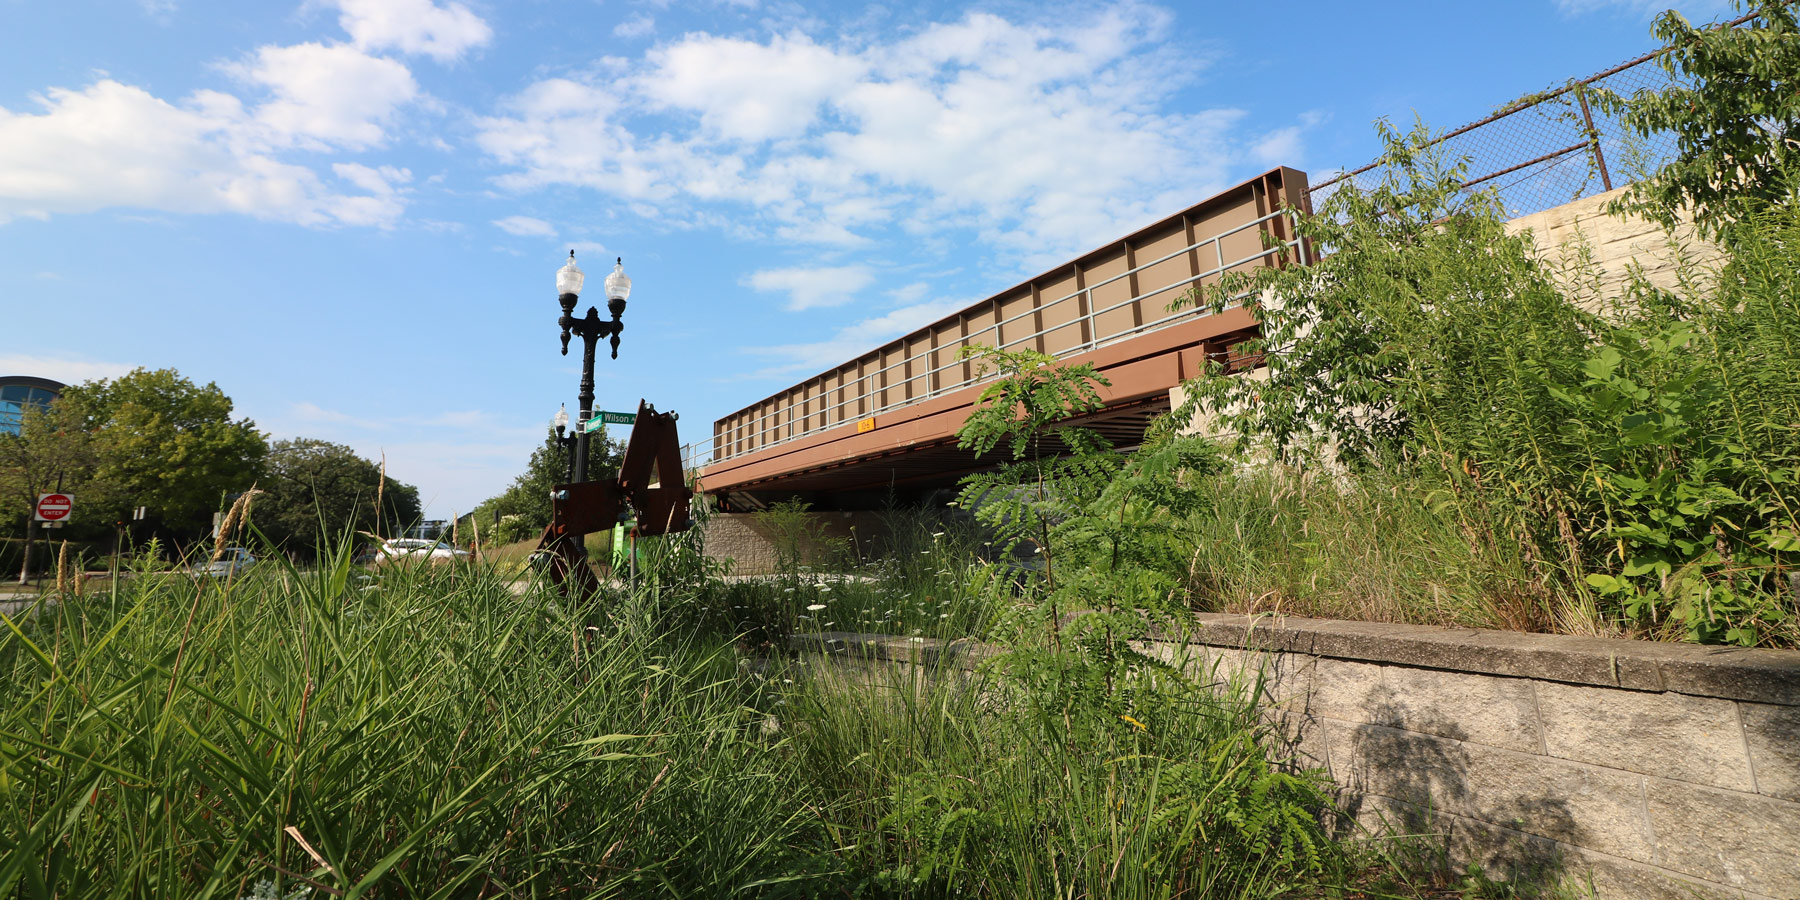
(49, 453)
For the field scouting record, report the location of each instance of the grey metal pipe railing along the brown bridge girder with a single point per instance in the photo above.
(766, 431)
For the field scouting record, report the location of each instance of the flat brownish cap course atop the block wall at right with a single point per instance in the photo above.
(1723, 672)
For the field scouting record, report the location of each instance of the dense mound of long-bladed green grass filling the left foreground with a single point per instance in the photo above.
(427, 735)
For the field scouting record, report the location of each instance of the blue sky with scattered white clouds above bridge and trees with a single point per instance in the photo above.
(350, 213)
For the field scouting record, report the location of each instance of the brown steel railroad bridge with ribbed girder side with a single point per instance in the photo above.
(883, 426)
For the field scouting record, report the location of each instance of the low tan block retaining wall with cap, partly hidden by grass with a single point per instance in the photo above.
(1648, 771)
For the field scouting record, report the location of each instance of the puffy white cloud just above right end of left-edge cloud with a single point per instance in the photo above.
(327, 94)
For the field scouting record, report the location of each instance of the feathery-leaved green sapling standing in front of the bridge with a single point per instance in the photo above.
(1113, 534)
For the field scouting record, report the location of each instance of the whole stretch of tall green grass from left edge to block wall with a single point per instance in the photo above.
(453, 733)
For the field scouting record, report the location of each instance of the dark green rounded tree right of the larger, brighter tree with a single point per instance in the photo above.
(314, 490)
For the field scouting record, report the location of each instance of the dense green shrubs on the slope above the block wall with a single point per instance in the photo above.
(1646, 454)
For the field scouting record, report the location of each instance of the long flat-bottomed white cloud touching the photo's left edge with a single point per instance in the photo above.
(120, 147)
